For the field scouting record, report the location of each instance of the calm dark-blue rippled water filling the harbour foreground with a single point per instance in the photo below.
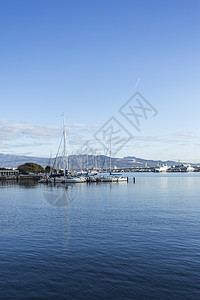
(105, 241)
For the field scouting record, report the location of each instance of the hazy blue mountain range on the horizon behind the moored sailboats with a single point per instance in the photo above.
(82, 161)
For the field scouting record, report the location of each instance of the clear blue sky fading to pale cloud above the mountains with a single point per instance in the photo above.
(84, 58)
